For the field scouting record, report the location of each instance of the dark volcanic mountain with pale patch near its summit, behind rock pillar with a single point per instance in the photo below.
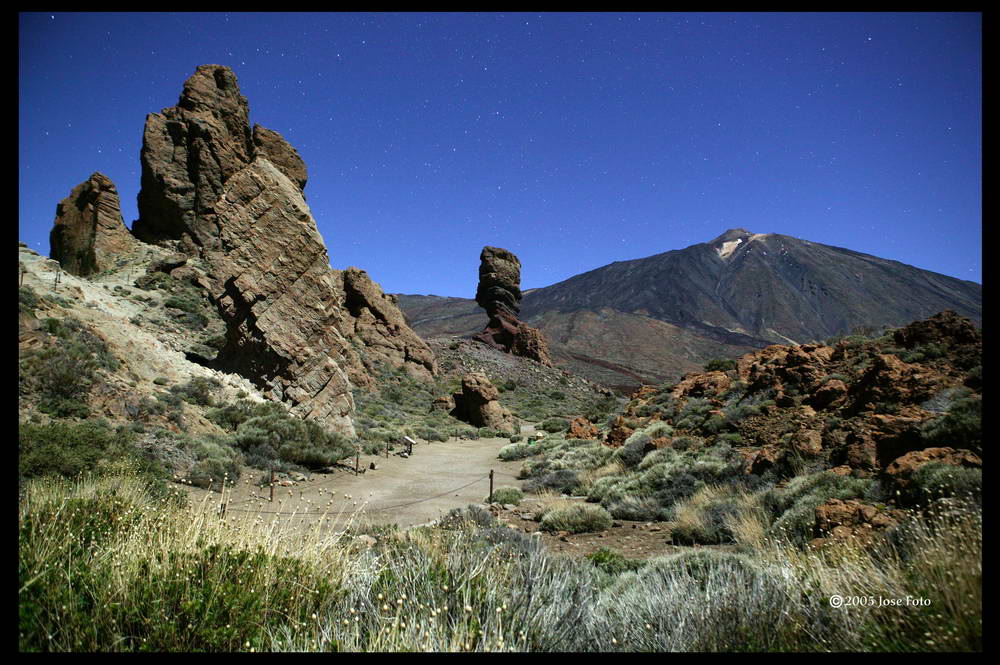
(653, 319)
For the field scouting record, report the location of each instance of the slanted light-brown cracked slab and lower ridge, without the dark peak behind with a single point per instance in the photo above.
(302, 331)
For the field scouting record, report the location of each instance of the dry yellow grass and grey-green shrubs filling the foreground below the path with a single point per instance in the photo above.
(105, 566)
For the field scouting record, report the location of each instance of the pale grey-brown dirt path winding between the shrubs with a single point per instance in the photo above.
(403, 491)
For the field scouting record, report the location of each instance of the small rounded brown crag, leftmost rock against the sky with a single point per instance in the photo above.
(89, 235)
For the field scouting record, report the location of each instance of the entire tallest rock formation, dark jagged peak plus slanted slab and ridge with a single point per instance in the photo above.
(303, 332)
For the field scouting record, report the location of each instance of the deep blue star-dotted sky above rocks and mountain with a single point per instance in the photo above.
(574, 140)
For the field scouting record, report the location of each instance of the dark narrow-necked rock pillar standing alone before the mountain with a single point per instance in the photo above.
(499, 293)
